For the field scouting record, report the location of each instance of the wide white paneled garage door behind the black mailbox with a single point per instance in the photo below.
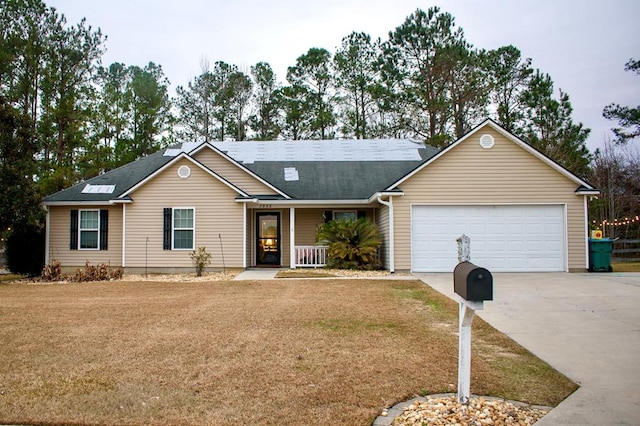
(513, 238)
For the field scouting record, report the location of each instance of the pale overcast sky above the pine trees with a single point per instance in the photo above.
(582, 44)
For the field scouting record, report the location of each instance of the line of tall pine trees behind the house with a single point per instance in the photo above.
(65, 117)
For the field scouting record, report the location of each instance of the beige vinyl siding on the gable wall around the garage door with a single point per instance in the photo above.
(505, 174)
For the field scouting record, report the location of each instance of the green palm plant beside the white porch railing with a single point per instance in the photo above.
(351, 244)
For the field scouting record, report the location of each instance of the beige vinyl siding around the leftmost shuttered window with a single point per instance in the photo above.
(59, 234)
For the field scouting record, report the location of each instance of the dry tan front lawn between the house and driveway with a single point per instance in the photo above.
(235, 352)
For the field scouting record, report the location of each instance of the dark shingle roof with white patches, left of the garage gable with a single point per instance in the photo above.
(313, 174)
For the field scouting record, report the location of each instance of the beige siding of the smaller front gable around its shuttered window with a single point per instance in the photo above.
(217, 217)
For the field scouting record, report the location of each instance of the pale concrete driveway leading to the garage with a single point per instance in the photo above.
(586, 326)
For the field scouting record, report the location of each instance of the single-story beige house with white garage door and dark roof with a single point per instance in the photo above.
(259, 204)
